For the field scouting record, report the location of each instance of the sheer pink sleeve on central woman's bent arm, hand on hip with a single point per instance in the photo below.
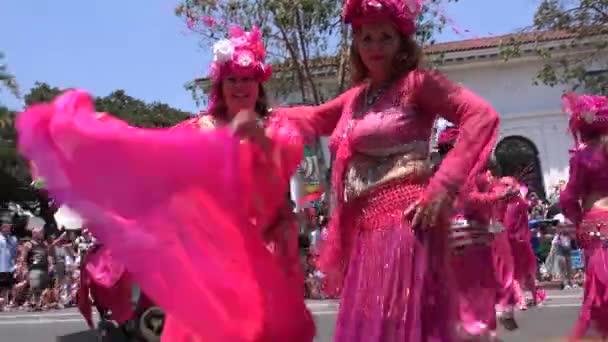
(478, 123)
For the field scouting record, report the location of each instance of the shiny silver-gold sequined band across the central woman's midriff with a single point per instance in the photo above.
(365, 173)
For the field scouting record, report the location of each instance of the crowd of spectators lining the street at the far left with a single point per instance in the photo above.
(41, 270)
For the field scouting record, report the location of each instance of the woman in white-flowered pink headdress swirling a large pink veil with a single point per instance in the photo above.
(199, 219)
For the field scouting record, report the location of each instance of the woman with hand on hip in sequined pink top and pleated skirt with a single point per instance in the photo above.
(387, 249)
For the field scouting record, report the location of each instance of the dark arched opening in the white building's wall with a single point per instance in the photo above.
(517, 156)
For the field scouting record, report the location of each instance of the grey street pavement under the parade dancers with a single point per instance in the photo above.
(551, 322)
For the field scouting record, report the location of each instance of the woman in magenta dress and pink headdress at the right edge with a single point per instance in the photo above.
(584, 201)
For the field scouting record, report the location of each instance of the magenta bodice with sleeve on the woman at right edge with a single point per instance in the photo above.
(588, 176)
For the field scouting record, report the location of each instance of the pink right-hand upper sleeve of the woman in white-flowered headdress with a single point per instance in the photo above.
(288, 146)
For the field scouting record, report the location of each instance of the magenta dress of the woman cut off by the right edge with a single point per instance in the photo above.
(588, 178)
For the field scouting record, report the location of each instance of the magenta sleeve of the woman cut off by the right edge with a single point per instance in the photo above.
(569, 199)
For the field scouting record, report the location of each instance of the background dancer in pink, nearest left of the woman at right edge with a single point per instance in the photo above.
(525, 265)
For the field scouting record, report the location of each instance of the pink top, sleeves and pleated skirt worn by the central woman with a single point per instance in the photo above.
(396, 306)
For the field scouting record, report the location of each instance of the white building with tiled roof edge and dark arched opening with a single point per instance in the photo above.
(533, 128)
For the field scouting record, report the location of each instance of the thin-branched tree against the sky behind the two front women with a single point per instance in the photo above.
(302, 37)
